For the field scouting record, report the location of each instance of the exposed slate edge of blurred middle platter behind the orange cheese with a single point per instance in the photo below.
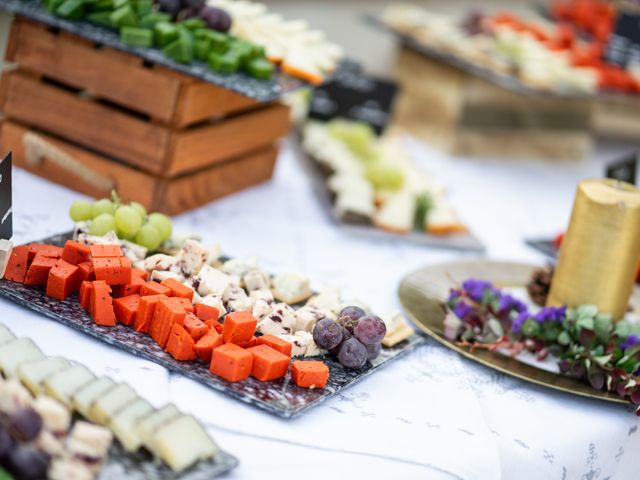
(319, 176)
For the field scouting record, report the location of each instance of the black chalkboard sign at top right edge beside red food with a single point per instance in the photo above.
(624, 45)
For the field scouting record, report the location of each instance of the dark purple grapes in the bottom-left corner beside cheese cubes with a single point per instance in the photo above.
(17, 454)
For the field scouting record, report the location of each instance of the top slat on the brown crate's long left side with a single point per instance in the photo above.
(113, 75)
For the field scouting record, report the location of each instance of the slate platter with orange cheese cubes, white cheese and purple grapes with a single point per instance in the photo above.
(289, 323)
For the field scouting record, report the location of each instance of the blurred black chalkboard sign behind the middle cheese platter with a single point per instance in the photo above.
(355, 96)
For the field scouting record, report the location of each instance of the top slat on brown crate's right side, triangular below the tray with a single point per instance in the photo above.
(199, 101)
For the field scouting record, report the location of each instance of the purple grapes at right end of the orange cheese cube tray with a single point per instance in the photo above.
(354, 339)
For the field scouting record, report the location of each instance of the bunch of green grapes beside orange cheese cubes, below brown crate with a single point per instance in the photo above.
(129, 221)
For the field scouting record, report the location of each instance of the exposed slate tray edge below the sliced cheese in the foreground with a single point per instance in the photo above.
(141, 466)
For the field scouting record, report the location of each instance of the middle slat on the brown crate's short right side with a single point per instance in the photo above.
(195, 148)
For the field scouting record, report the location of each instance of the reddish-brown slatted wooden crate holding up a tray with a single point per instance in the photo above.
(131, 118)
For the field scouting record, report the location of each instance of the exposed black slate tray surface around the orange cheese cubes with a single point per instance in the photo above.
(279, 397)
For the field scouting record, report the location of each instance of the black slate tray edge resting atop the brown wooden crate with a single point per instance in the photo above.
(261, 90)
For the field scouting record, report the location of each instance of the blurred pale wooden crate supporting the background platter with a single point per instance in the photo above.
(467, 115)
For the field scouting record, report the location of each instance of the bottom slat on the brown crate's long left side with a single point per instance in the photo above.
(130, 183)
